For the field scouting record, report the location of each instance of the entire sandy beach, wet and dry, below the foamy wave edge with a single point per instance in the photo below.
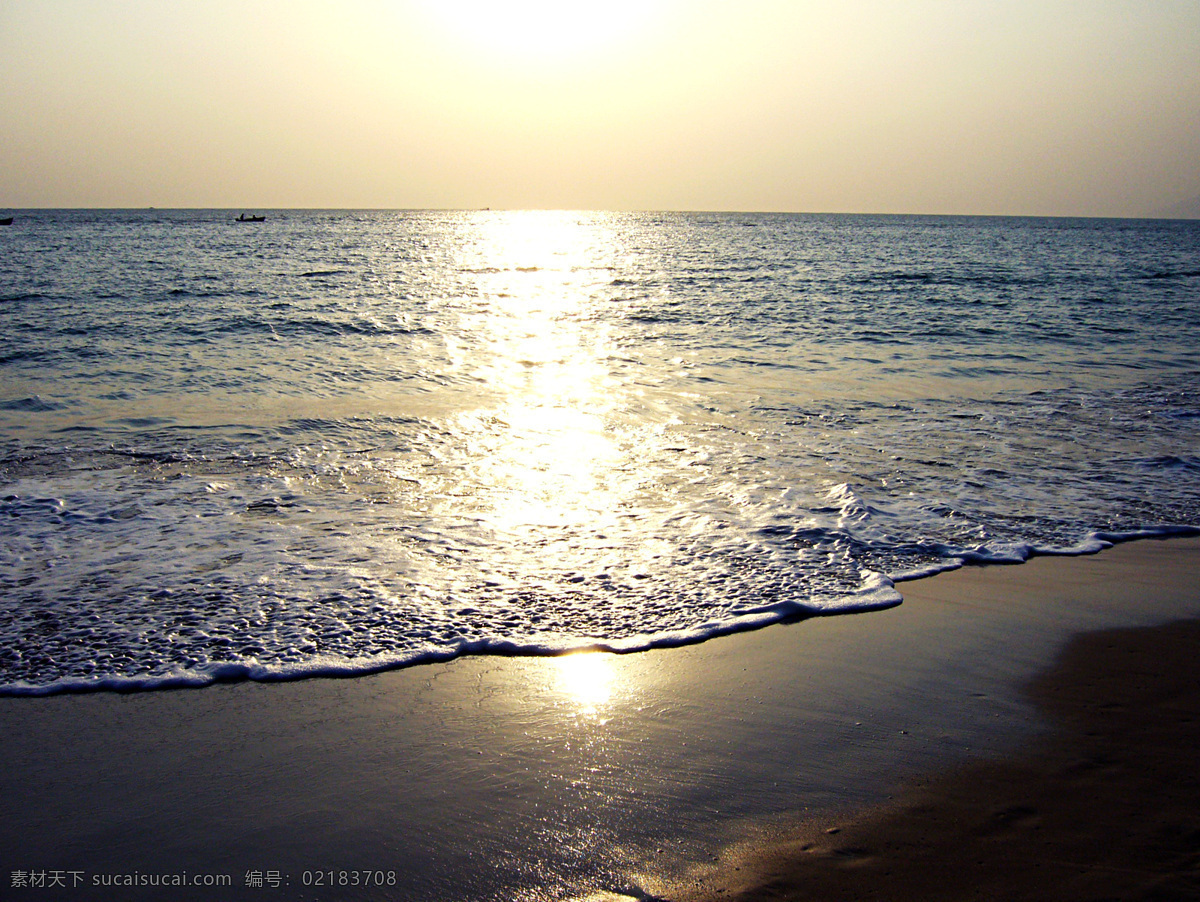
(889, 748)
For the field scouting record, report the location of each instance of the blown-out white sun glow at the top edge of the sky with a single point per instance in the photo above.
(543, 29)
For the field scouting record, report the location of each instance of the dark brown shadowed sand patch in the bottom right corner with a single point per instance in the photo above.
(1107, 807)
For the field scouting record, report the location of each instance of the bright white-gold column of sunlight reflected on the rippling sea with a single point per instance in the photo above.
(549, 455)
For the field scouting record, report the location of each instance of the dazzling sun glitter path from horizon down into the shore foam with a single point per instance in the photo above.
(554, 467)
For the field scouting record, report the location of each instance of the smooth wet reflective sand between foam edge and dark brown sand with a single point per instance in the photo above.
(560, 778)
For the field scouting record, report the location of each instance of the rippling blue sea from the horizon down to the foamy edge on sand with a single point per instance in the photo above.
(341, 442)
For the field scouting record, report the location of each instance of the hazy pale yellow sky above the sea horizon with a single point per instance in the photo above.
(991, 107)
